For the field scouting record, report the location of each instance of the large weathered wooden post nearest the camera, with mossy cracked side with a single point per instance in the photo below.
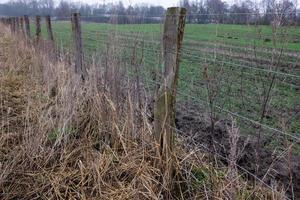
(164, 108)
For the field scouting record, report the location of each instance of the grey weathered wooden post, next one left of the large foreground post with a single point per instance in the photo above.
(77, 40)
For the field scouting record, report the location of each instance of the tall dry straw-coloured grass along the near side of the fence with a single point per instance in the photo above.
(61, 138)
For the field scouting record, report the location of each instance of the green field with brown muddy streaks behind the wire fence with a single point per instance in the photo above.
(241, 60)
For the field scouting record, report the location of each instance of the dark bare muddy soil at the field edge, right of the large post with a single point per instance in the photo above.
(272, 167)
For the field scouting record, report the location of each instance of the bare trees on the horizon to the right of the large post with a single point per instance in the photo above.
(244, 12)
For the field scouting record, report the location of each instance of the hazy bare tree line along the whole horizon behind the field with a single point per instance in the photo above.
(199, 11)
